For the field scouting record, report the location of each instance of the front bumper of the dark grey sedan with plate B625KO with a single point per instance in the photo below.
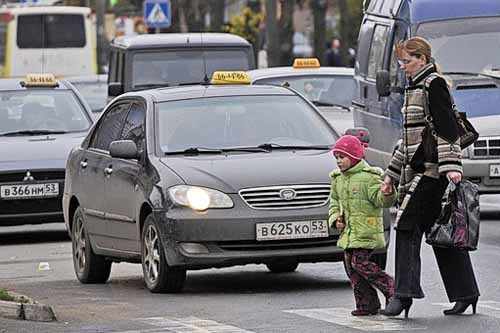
(227, 237)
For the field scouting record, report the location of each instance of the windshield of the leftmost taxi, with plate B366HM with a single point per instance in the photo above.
(41, 110)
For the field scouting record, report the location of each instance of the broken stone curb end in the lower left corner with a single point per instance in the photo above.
(32, 311)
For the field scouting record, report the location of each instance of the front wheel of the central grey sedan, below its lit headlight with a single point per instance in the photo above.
(158, 275)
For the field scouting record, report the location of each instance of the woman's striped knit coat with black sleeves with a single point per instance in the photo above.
(402, 167)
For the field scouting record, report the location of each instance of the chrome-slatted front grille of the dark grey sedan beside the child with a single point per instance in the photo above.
(286, 197)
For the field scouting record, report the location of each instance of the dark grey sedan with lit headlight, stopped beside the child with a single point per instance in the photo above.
(201, 176)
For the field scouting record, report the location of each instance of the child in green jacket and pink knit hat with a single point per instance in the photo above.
(356, 202)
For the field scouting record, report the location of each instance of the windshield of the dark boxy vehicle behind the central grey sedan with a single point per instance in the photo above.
(176, 67)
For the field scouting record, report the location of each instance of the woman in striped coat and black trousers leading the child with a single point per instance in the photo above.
(423, 166)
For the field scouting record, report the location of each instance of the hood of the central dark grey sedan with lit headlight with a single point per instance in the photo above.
(232, 172)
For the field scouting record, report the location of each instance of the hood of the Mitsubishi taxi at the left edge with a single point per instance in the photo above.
(39, 151)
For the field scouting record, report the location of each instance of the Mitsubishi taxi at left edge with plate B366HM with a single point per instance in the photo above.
(41, 119)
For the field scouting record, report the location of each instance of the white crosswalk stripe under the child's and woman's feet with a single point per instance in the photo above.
(342, 316)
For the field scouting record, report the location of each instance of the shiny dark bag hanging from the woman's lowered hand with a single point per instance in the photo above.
(458, 224)
